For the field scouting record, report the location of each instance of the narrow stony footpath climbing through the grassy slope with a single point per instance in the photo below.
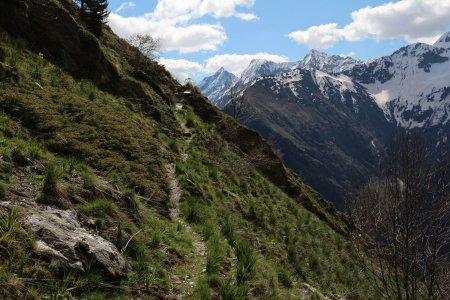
(196, 259)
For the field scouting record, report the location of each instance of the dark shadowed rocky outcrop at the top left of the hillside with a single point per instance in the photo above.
(71, 46)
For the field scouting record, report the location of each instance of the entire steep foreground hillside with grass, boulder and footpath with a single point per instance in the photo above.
(116, 182)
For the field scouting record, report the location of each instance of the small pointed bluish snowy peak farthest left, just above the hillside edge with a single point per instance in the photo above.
(216, 85)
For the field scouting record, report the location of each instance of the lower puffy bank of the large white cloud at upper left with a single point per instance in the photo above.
(185, 39)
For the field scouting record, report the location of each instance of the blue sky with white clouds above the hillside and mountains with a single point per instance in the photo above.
(199, 36)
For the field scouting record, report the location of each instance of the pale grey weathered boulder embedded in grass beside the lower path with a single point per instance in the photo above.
(61, 235)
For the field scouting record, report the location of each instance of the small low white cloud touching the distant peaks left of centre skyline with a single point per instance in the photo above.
(236, 63)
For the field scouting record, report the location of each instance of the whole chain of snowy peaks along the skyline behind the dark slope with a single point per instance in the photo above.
(412, 85)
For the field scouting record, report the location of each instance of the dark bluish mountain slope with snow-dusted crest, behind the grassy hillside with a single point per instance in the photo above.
(326, 128)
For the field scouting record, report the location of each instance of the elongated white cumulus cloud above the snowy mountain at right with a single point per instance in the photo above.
(413, 20)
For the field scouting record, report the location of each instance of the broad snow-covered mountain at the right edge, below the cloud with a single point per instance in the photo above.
(412, 85)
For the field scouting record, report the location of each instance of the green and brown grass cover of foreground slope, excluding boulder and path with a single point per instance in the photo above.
(261, 243)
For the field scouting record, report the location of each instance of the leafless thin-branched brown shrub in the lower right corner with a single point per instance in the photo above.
(407, 220)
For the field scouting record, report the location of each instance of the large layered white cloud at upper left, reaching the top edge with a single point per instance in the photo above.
(171, 23)
